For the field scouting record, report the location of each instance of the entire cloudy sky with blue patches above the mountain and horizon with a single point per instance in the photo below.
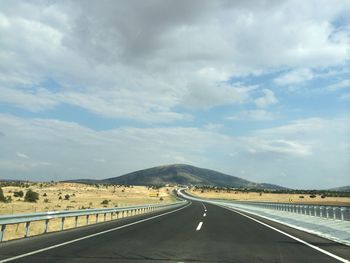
(255, 89)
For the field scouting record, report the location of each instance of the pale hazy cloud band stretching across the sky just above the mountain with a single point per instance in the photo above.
(311, 150)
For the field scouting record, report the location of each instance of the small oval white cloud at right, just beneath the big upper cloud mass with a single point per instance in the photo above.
(294, 77)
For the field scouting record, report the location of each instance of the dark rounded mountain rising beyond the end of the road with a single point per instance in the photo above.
(181, 174)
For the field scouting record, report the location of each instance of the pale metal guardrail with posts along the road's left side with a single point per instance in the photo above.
(115, 213)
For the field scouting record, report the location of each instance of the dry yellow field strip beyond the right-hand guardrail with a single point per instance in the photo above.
(272, 197)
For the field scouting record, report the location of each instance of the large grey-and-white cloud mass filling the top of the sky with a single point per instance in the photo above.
(145, 63)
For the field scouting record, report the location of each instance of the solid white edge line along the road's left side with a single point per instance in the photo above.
(89, 236)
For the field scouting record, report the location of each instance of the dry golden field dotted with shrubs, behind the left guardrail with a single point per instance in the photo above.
(80, 196)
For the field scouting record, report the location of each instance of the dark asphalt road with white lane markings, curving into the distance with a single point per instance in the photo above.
(178, 236)
